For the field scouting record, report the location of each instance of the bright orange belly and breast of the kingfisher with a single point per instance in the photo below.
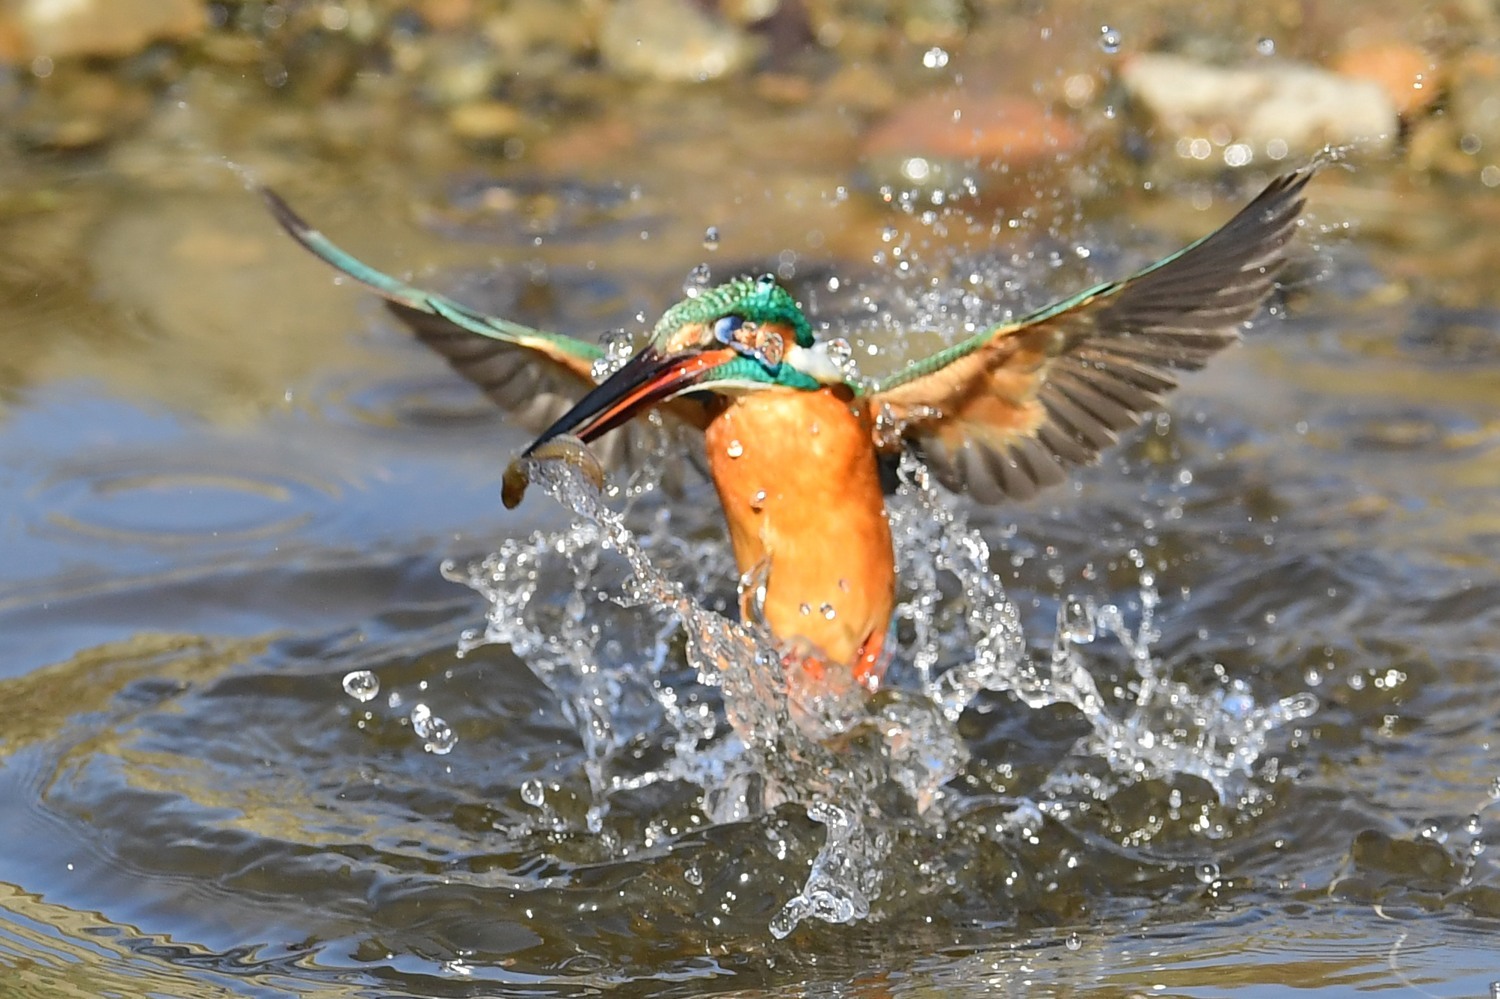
(797, 478)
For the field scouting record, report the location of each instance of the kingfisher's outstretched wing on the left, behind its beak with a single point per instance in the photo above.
(533, 376)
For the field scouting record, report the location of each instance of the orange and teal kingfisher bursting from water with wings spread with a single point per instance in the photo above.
(794, 442)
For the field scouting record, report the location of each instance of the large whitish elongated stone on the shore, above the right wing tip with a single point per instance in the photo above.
(1235, 116)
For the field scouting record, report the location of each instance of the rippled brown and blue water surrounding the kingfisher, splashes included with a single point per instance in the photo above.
(1219, 716)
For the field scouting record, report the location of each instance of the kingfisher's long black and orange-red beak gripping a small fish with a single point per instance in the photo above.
(644, 382)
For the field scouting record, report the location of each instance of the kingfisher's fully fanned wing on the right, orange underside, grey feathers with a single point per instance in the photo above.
(1009, 410)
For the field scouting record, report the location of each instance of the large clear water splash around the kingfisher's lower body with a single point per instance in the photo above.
(835, 754)
